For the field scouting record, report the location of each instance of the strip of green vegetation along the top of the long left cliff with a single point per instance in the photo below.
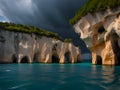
(30, 30)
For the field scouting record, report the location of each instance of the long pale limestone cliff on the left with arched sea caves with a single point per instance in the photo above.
(18, 47)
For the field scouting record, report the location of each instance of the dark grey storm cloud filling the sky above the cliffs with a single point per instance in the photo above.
(52, 15)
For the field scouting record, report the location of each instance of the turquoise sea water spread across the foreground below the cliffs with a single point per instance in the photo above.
(59, 77)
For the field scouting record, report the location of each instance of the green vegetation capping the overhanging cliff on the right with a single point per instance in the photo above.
(94, 6)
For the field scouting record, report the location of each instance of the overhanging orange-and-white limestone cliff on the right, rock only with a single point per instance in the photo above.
(101, 33)
